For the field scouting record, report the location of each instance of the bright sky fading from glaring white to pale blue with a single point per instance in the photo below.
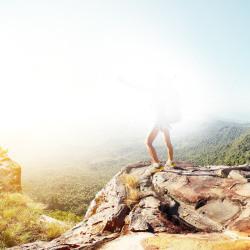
(59, 60)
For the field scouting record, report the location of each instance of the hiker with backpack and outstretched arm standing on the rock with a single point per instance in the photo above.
(164, 114)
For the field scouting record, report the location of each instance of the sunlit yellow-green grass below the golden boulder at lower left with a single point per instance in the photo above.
(21, 223)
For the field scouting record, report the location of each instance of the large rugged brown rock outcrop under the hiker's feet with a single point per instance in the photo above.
(203, 207)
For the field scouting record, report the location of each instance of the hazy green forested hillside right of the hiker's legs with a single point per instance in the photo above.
(221, 143)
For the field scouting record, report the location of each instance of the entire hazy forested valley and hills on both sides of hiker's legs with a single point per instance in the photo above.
(71, 187)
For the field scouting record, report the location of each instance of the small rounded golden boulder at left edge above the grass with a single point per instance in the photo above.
(10, 175)
